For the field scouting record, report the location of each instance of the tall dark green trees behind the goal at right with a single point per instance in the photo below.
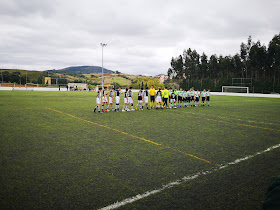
(254, 60)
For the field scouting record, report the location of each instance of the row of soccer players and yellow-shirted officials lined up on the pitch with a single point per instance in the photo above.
(171, 98)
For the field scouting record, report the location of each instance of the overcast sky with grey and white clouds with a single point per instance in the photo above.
(141, 35)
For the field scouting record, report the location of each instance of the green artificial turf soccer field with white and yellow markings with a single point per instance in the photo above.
(56, 153)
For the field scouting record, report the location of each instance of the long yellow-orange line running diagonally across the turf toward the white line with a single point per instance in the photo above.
(146, 140)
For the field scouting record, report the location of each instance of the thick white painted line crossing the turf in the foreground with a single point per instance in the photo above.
(184, 179)
